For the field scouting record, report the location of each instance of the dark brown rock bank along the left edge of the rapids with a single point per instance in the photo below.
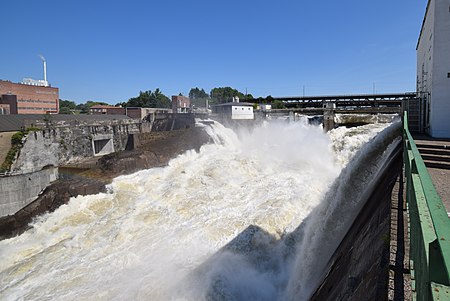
(151, 150)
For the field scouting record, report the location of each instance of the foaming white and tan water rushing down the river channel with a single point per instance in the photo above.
(219, 224)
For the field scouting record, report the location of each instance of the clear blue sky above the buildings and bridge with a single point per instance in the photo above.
(110, 50)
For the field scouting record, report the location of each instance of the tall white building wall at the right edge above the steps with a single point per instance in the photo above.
(433, 68)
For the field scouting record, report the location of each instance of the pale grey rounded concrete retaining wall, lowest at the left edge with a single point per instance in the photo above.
(19, 190)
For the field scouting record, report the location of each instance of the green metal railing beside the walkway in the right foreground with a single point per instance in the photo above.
(429, 227)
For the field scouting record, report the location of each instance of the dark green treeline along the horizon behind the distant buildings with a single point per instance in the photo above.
(156, 99)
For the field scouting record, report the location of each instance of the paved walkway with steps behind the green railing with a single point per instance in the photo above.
(436, 155)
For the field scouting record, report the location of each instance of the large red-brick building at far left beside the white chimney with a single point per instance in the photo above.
(29, 99)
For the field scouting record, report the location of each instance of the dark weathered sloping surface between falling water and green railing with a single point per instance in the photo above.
(358, 269)
